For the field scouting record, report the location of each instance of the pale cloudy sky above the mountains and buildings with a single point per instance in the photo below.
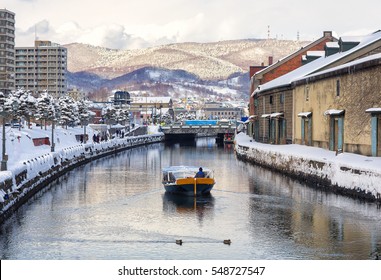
(127, 24)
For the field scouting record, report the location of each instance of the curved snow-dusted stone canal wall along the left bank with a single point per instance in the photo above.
(20, 184)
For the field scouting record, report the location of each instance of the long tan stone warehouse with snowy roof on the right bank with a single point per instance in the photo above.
(312, 114)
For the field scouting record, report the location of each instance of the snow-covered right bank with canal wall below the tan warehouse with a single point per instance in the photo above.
(346, 173)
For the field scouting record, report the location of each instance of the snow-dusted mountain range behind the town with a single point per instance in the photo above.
(217, 69)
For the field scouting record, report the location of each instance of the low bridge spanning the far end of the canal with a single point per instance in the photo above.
(186, 131)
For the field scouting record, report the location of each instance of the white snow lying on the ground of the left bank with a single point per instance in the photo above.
(25, 157)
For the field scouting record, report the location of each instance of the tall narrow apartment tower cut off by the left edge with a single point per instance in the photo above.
(7, 51)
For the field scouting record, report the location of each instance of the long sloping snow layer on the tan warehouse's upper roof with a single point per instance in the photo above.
(316, 65)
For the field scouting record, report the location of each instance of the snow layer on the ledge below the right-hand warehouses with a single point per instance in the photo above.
(345, 169)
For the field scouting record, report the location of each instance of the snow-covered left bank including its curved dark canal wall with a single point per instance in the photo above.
(31, 167)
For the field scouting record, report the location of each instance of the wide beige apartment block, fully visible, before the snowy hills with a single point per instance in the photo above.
(42, 67)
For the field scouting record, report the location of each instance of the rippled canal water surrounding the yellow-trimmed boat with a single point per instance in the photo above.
(116, 208)
